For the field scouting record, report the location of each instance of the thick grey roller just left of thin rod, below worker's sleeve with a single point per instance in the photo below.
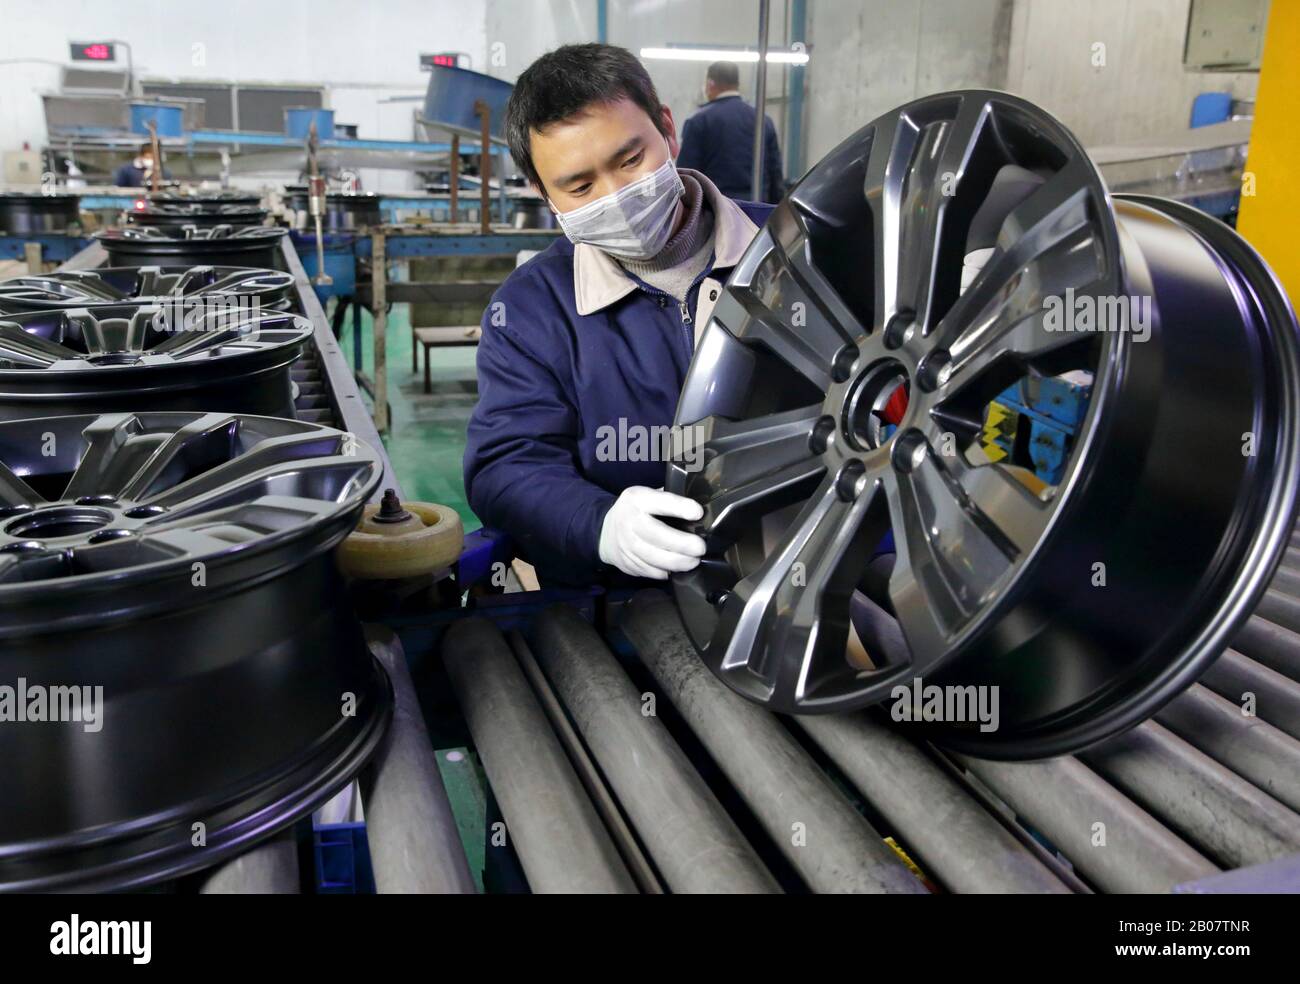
(560, 839)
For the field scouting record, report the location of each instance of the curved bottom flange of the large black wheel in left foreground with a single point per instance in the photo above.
(132, 864)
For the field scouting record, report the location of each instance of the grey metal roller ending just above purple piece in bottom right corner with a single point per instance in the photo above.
(1223, 814)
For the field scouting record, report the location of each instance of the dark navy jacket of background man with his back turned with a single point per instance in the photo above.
(720, 142)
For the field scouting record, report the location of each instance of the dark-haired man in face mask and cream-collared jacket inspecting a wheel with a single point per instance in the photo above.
(586, 348)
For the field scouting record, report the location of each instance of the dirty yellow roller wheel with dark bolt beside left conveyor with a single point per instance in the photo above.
(402, 540)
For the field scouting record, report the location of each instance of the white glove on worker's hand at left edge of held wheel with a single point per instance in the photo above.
(638, 544)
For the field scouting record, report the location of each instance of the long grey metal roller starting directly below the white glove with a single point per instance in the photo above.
(779, 781)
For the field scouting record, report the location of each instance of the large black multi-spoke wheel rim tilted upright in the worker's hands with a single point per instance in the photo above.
(991, 584)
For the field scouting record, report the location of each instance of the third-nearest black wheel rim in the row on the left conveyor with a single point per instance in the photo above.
(127, 287)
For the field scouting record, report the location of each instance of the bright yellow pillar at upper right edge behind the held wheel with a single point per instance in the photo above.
(1268, 218)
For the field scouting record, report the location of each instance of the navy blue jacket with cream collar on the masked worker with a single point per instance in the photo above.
(571, 344)
